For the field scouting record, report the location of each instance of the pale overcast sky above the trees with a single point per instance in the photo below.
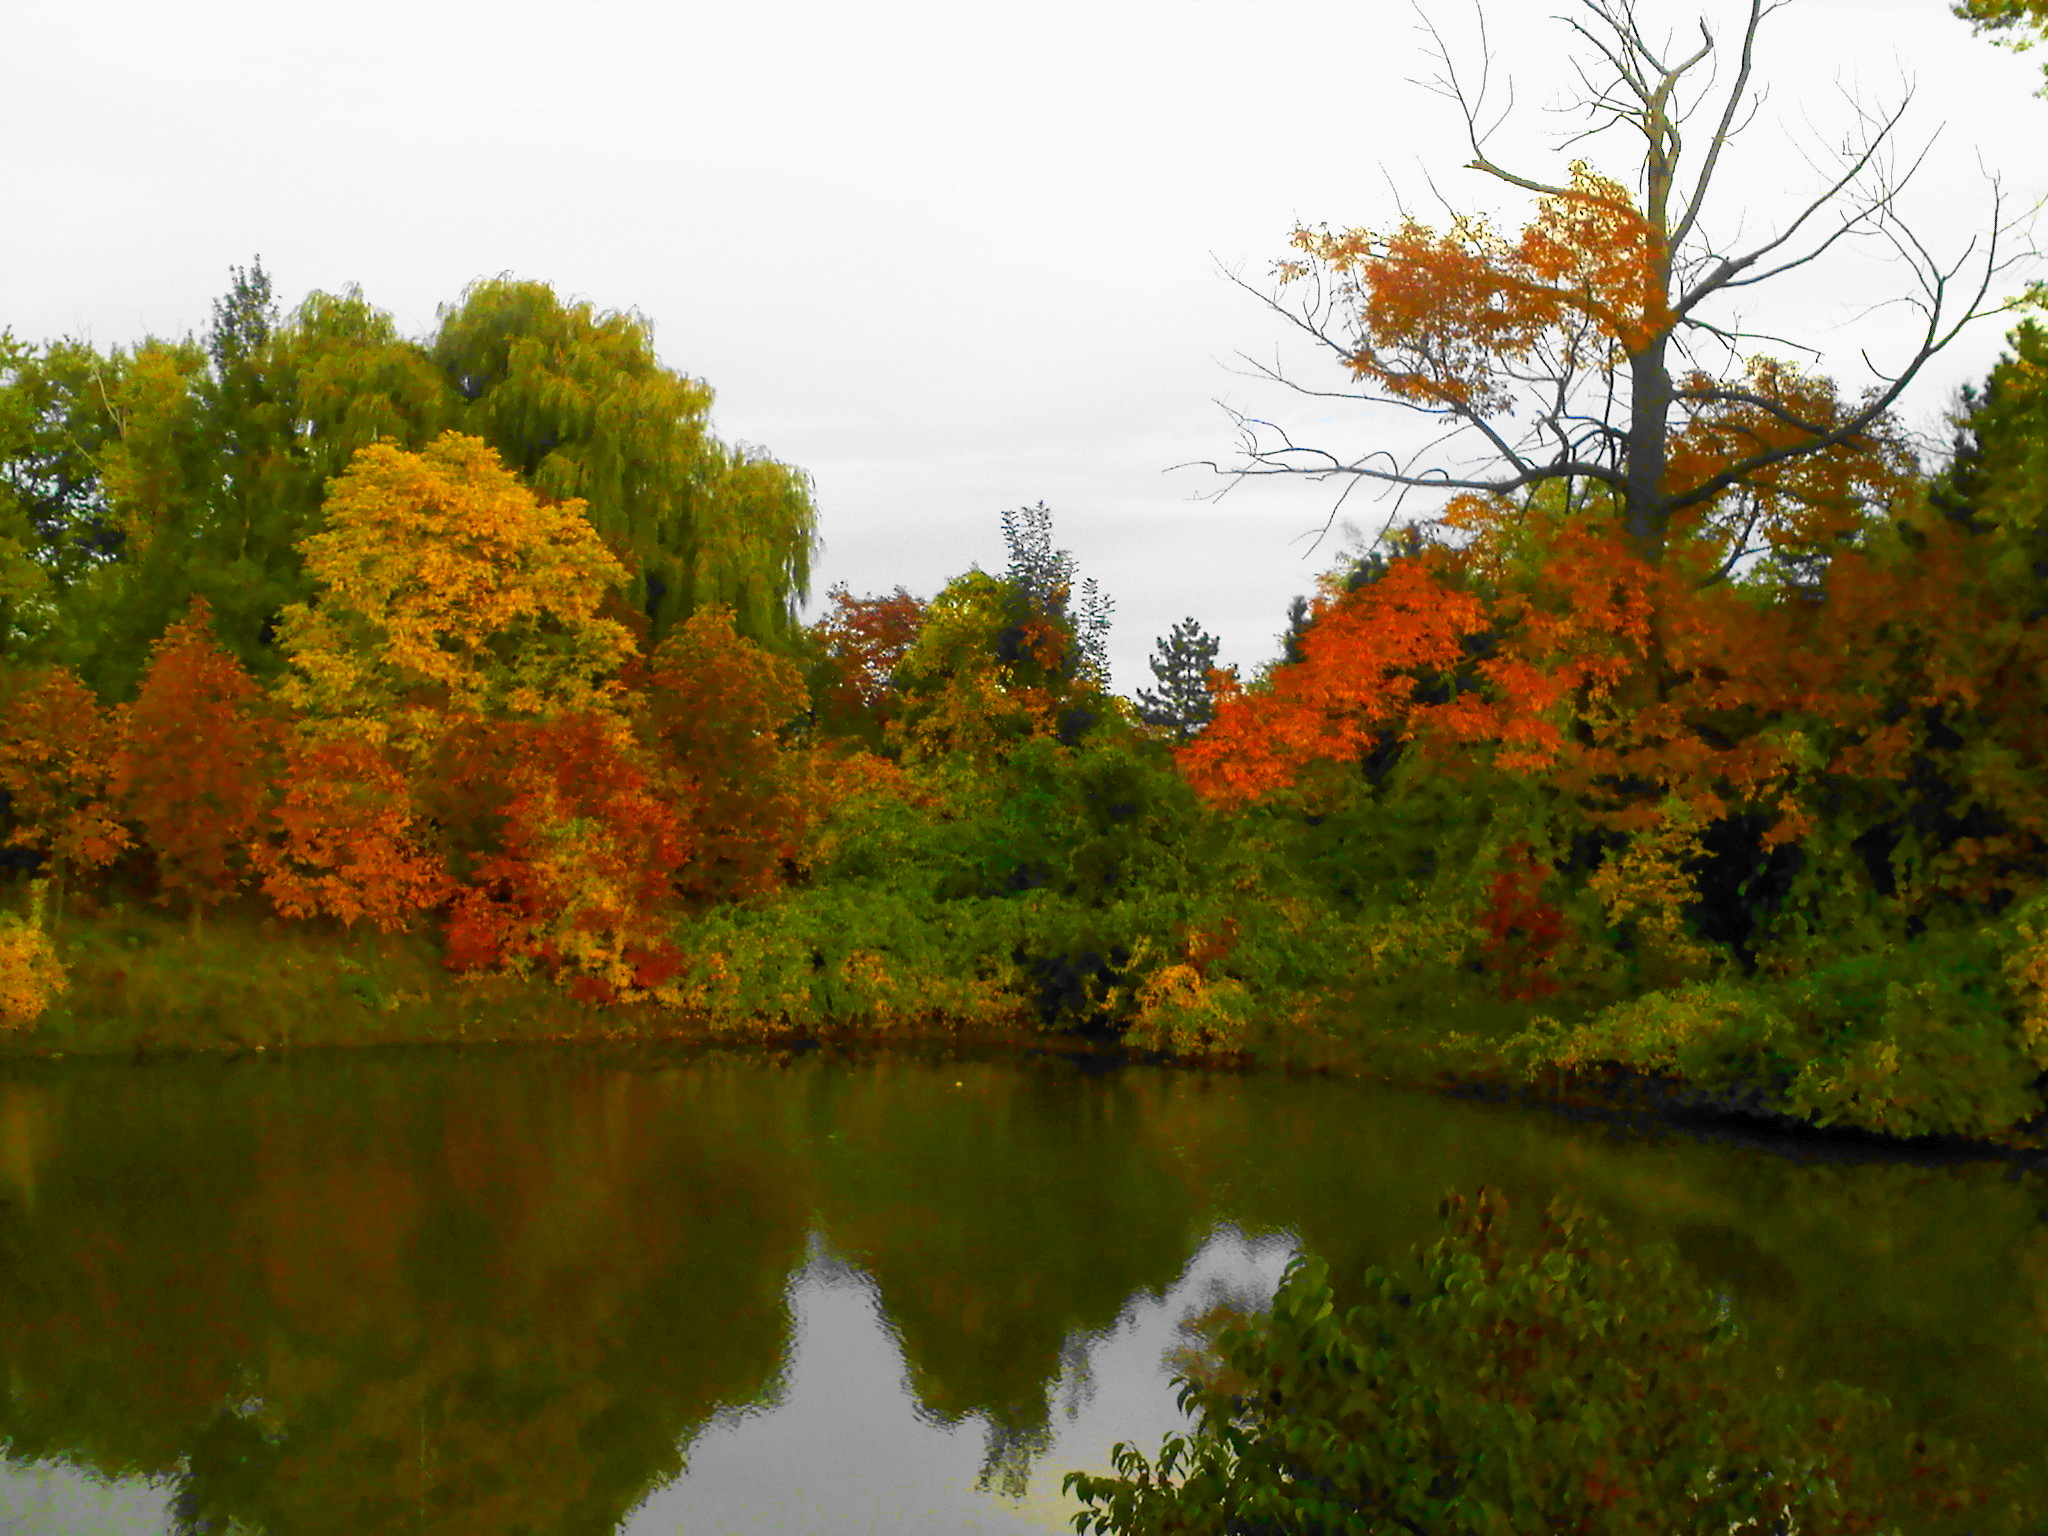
(949, 259)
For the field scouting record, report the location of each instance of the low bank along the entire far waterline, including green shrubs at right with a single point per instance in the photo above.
(142, 982)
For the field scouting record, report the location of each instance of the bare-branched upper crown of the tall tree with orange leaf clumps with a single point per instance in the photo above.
(1584, 374)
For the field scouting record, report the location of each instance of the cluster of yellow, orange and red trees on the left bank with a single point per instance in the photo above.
(470, 732)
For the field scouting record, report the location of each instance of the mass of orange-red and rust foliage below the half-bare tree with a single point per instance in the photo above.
(1832, 665)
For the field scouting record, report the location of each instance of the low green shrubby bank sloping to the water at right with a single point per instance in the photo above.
(1928, 1041)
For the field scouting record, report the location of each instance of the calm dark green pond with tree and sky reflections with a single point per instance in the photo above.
(560, 1291)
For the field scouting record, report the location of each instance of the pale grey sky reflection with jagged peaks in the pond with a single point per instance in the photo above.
(845, 1445)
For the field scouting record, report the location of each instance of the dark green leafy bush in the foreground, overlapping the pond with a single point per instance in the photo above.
(1570, 1388)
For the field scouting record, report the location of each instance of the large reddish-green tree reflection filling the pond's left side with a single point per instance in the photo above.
(382, 1299)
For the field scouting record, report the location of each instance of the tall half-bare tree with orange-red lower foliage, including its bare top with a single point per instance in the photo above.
(1629, 591)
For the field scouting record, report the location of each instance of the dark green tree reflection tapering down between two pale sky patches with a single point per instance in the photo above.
(1002, 1215)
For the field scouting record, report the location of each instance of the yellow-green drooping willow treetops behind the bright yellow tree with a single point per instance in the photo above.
(138, 478)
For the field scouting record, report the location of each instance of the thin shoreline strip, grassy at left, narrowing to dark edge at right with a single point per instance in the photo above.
(146, 988)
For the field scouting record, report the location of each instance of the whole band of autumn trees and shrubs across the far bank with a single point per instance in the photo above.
(1527, 759)
